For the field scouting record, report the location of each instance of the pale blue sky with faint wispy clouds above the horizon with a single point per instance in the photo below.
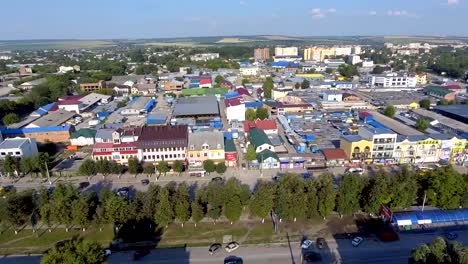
(112, 19)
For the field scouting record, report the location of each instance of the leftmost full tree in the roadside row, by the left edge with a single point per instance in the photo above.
(18, 209)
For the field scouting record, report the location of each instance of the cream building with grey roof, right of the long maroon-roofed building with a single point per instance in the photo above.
(205, 145)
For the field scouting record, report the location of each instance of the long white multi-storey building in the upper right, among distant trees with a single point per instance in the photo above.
(392, 80)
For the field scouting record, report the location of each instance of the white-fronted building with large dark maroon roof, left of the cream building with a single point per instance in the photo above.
(163, 143)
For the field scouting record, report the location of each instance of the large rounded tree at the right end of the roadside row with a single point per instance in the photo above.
(446, 188)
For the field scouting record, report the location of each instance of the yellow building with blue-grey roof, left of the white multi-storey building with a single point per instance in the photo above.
(357, 148)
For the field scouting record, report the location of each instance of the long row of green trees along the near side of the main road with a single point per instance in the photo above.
(290, 198)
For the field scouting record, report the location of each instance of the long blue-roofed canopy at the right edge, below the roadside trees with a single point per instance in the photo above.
(434, 216)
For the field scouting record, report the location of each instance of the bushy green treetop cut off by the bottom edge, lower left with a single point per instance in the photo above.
(75, 251)
